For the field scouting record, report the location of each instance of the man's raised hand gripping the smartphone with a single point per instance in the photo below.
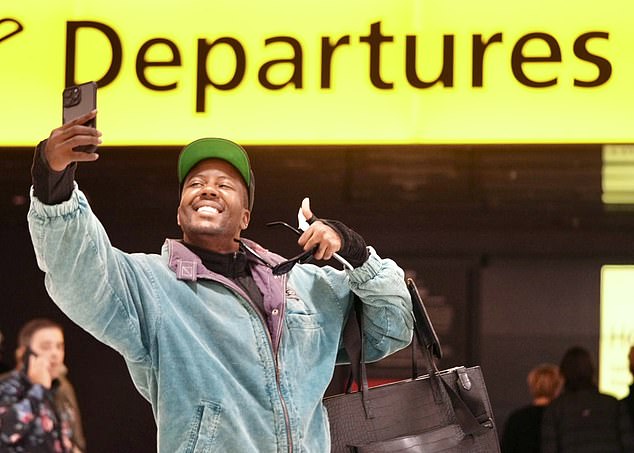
(59, 147)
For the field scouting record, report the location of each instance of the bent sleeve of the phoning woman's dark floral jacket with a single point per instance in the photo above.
(18, 418)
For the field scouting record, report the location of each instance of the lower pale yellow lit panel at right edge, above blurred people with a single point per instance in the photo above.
(617, 329)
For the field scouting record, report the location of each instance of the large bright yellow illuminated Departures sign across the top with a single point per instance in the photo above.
(353, 72)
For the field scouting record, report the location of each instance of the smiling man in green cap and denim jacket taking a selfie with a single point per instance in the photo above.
(233, 351)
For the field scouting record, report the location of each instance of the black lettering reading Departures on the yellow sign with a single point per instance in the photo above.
(413, 67)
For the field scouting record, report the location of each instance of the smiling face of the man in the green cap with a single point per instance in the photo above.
(213, 206)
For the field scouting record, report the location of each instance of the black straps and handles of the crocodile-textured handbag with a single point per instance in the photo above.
(426, 338)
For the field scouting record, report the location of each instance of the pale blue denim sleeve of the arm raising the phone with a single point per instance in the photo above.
(102, 289)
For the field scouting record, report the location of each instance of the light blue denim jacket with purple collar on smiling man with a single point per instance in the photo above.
(219, 376)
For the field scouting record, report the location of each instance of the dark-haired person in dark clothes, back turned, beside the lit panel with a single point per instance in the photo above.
(581, 419)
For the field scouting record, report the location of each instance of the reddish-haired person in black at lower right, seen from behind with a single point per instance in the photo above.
(522, 431)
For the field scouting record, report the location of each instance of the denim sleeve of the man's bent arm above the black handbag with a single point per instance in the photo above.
(388, 321)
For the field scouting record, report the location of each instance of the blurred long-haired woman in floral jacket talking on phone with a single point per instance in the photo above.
(38, 407)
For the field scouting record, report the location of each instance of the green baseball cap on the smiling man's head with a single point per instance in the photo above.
(217, 148)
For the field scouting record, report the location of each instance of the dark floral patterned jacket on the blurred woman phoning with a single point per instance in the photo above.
(30, 421)
